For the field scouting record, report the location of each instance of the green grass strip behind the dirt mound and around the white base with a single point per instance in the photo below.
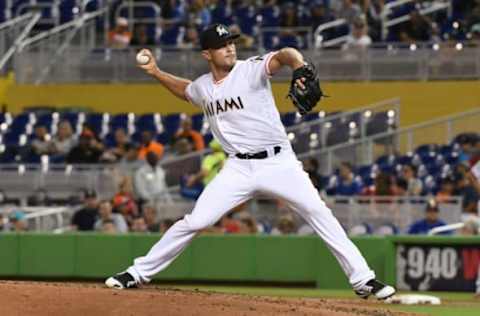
(453, 304)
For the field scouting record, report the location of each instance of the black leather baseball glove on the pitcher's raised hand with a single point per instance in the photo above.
(305, 99)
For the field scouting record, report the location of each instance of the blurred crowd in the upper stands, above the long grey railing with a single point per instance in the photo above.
(182, 21)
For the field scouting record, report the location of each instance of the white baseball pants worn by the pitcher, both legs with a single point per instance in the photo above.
(281, 176)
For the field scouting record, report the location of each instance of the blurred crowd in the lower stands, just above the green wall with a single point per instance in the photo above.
(141, 184)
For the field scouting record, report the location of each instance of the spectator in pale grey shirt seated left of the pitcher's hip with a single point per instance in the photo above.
(150, 182)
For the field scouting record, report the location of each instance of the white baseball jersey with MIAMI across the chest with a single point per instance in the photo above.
(240, 108)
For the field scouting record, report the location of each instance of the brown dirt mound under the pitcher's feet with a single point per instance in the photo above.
(44, 298)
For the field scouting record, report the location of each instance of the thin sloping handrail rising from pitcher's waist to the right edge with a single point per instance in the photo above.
(392, 133)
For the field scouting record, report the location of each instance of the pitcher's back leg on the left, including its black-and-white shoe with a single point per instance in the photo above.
(230, 188)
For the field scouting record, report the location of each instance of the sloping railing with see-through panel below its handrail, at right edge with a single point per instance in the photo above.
(401, 141)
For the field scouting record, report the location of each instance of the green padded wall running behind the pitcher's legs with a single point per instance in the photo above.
(209, 258)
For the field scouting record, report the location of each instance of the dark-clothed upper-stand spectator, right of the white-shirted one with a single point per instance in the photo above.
(418, 28)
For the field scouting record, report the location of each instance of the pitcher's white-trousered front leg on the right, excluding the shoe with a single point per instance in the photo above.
(290, 182)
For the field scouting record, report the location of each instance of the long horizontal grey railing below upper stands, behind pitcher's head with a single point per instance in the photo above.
(387, 62)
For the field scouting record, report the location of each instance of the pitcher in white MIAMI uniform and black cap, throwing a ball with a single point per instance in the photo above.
(237, 100)
